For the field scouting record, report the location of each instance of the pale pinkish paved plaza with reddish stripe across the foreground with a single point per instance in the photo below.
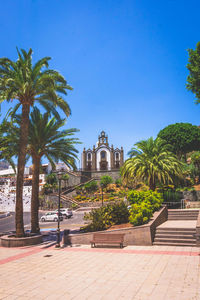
(80, 273)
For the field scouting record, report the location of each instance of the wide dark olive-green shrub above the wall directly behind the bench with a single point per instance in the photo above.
(106, 216)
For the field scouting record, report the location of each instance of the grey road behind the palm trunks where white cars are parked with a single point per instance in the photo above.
(75, 222)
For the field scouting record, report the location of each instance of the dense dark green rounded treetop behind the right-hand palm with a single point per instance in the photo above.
(183, 138)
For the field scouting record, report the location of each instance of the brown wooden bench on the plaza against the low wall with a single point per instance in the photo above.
(107, 239)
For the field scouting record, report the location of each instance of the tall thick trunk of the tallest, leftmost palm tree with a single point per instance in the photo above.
(19, 222)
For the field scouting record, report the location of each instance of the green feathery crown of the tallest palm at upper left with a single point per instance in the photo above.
(27, 82)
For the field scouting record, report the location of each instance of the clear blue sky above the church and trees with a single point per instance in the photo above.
(126, 60)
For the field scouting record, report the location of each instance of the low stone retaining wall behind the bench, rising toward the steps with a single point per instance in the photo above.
(138, 235)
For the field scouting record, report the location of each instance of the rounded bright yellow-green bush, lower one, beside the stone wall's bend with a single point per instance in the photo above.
(140, 213)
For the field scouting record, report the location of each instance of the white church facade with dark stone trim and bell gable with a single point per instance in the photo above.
(102, 157)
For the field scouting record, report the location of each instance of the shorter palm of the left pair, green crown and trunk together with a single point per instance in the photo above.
(47, 140)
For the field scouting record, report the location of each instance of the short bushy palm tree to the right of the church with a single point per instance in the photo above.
(152, 162)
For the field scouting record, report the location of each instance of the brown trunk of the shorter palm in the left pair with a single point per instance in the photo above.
(35, 195)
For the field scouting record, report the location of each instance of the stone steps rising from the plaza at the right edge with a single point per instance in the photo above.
(177, 235)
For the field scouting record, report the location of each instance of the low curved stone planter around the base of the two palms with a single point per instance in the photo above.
(12, 241)
